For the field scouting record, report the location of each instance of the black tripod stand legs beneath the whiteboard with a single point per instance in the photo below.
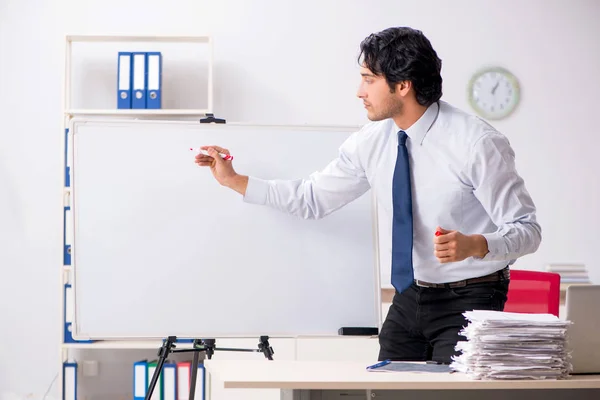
(199, 345)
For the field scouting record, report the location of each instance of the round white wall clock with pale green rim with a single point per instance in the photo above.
(493, 93)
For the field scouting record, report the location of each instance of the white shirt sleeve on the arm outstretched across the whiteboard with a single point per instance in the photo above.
(340, 182)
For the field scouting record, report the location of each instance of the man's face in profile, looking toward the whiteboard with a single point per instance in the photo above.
(377, 97)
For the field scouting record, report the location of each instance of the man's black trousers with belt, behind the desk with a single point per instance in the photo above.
(424, 323)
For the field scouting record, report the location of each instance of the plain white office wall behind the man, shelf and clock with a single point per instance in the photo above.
(287, 62)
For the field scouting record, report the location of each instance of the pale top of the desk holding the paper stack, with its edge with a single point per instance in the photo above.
(281, 374)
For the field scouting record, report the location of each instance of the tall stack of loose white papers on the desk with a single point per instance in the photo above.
(502, 345)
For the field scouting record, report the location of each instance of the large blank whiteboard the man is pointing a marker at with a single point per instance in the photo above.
(160, 248)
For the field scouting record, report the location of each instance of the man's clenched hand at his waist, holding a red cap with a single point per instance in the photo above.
(451, 246)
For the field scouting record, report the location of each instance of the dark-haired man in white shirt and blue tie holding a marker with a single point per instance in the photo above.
(467, 207)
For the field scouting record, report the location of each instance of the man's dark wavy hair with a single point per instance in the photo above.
(404, 54)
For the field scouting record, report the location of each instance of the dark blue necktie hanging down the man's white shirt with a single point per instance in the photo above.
(402, 227)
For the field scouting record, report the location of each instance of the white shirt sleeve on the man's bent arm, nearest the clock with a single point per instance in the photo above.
(502, 193)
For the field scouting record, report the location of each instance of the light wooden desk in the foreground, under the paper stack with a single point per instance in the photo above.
(309, 380)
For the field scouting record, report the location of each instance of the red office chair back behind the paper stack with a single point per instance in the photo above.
(533, 292)
